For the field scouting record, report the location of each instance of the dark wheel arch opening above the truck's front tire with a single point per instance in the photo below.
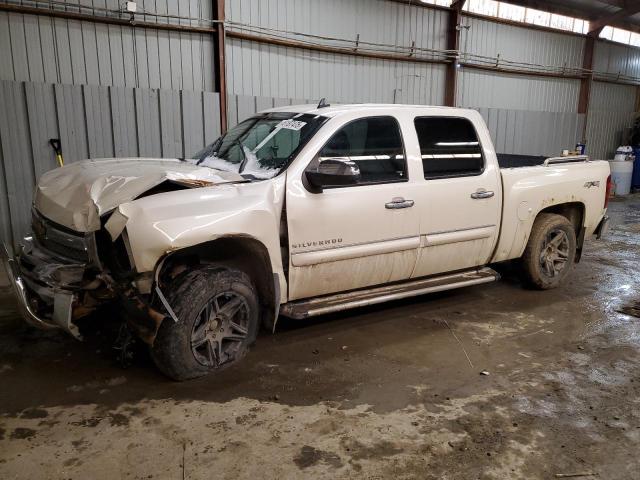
(242, 252)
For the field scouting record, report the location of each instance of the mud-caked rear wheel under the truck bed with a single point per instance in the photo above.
(550, 252)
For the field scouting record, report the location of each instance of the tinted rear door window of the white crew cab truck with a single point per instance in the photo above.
(449, 147)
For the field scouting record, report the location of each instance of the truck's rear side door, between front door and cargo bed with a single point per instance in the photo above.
(461, 198)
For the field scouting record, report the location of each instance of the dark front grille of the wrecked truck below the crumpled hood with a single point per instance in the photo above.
(59, 240)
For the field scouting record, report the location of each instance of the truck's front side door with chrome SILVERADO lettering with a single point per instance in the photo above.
(353, 236)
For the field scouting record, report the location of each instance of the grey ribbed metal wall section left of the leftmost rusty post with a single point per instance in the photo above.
(104, 90)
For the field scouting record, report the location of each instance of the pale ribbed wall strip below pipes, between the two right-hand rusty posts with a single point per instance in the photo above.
(477, 88)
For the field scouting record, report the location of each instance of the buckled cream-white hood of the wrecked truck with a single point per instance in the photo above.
(77, 195)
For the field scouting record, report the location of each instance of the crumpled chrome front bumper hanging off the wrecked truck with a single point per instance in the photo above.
(32, 293)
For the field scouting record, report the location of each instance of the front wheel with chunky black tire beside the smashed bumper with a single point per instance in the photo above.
(218, 312)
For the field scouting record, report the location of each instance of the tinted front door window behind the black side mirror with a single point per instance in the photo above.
(374, 144)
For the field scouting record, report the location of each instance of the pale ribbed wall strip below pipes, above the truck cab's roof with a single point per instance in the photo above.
(285, 72)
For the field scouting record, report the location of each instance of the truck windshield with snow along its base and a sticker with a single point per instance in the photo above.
(260, 147)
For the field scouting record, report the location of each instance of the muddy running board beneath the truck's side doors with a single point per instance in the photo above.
(299, 309)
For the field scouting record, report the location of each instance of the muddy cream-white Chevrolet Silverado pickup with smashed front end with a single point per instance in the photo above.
(297, 211)
